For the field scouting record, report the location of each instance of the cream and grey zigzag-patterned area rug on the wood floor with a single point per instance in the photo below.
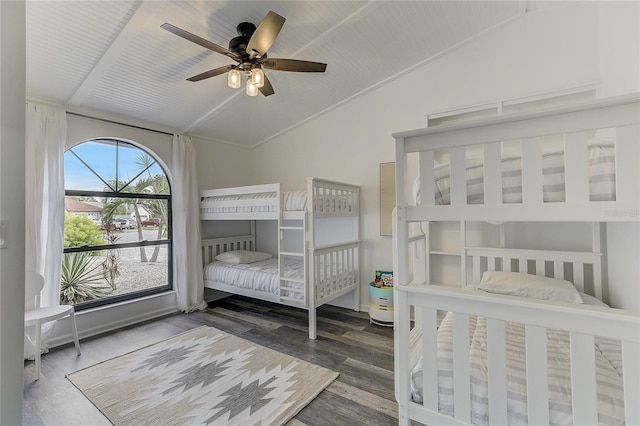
(203, 376)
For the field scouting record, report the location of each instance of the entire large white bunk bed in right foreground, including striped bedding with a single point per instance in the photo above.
(569, 363)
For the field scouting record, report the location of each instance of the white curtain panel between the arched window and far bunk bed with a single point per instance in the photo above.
(187, 254)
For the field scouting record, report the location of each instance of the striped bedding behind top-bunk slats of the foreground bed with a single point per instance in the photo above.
(601, 178)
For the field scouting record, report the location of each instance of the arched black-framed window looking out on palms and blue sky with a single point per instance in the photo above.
(117, 240)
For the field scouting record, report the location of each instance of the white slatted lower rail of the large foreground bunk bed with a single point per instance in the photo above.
(583, 323)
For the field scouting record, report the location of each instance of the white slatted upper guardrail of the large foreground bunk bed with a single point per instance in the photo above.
(573, 124)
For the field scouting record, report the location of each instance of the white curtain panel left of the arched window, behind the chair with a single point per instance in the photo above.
(45, 133)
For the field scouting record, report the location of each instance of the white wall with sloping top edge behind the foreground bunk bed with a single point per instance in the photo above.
(545, 51)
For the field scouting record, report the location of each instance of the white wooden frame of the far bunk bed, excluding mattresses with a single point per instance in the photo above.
(326, 265)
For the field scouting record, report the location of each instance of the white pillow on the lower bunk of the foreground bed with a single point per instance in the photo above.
(527, 285)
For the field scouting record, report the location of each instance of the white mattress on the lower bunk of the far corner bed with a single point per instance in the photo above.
(259, 276)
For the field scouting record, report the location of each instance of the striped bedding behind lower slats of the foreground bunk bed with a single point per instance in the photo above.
(608, 374)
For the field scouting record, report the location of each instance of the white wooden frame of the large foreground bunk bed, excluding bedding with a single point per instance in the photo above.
(414, 295)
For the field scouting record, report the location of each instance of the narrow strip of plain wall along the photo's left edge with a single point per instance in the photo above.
(12, 119)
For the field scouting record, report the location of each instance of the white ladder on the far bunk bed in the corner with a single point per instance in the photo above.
(292, 289)
